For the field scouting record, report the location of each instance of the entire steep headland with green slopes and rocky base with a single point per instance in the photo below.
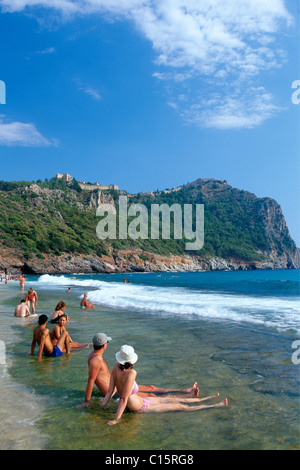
(46, 230)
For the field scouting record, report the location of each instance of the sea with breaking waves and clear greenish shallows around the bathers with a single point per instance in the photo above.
(235, 333)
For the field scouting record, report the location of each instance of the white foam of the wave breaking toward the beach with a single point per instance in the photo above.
(272, 312)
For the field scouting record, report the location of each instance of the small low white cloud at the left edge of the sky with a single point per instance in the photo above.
(21, 134)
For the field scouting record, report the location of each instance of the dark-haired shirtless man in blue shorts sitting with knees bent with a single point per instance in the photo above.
(42, 338)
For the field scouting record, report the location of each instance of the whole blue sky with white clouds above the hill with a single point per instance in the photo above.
(150, 94)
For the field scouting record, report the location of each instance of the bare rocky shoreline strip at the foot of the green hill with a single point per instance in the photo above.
(135, 260)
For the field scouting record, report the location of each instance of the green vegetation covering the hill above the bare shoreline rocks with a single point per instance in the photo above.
(61, 218)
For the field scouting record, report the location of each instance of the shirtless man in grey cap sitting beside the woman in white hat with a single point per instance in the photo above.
(99, 374)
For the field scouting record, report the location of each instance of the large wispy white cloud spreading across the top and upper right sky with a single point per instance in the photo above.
(199, 42)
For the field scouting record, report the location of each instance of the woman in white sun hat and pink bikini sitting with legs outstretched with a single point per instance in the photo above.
(123, 379)
